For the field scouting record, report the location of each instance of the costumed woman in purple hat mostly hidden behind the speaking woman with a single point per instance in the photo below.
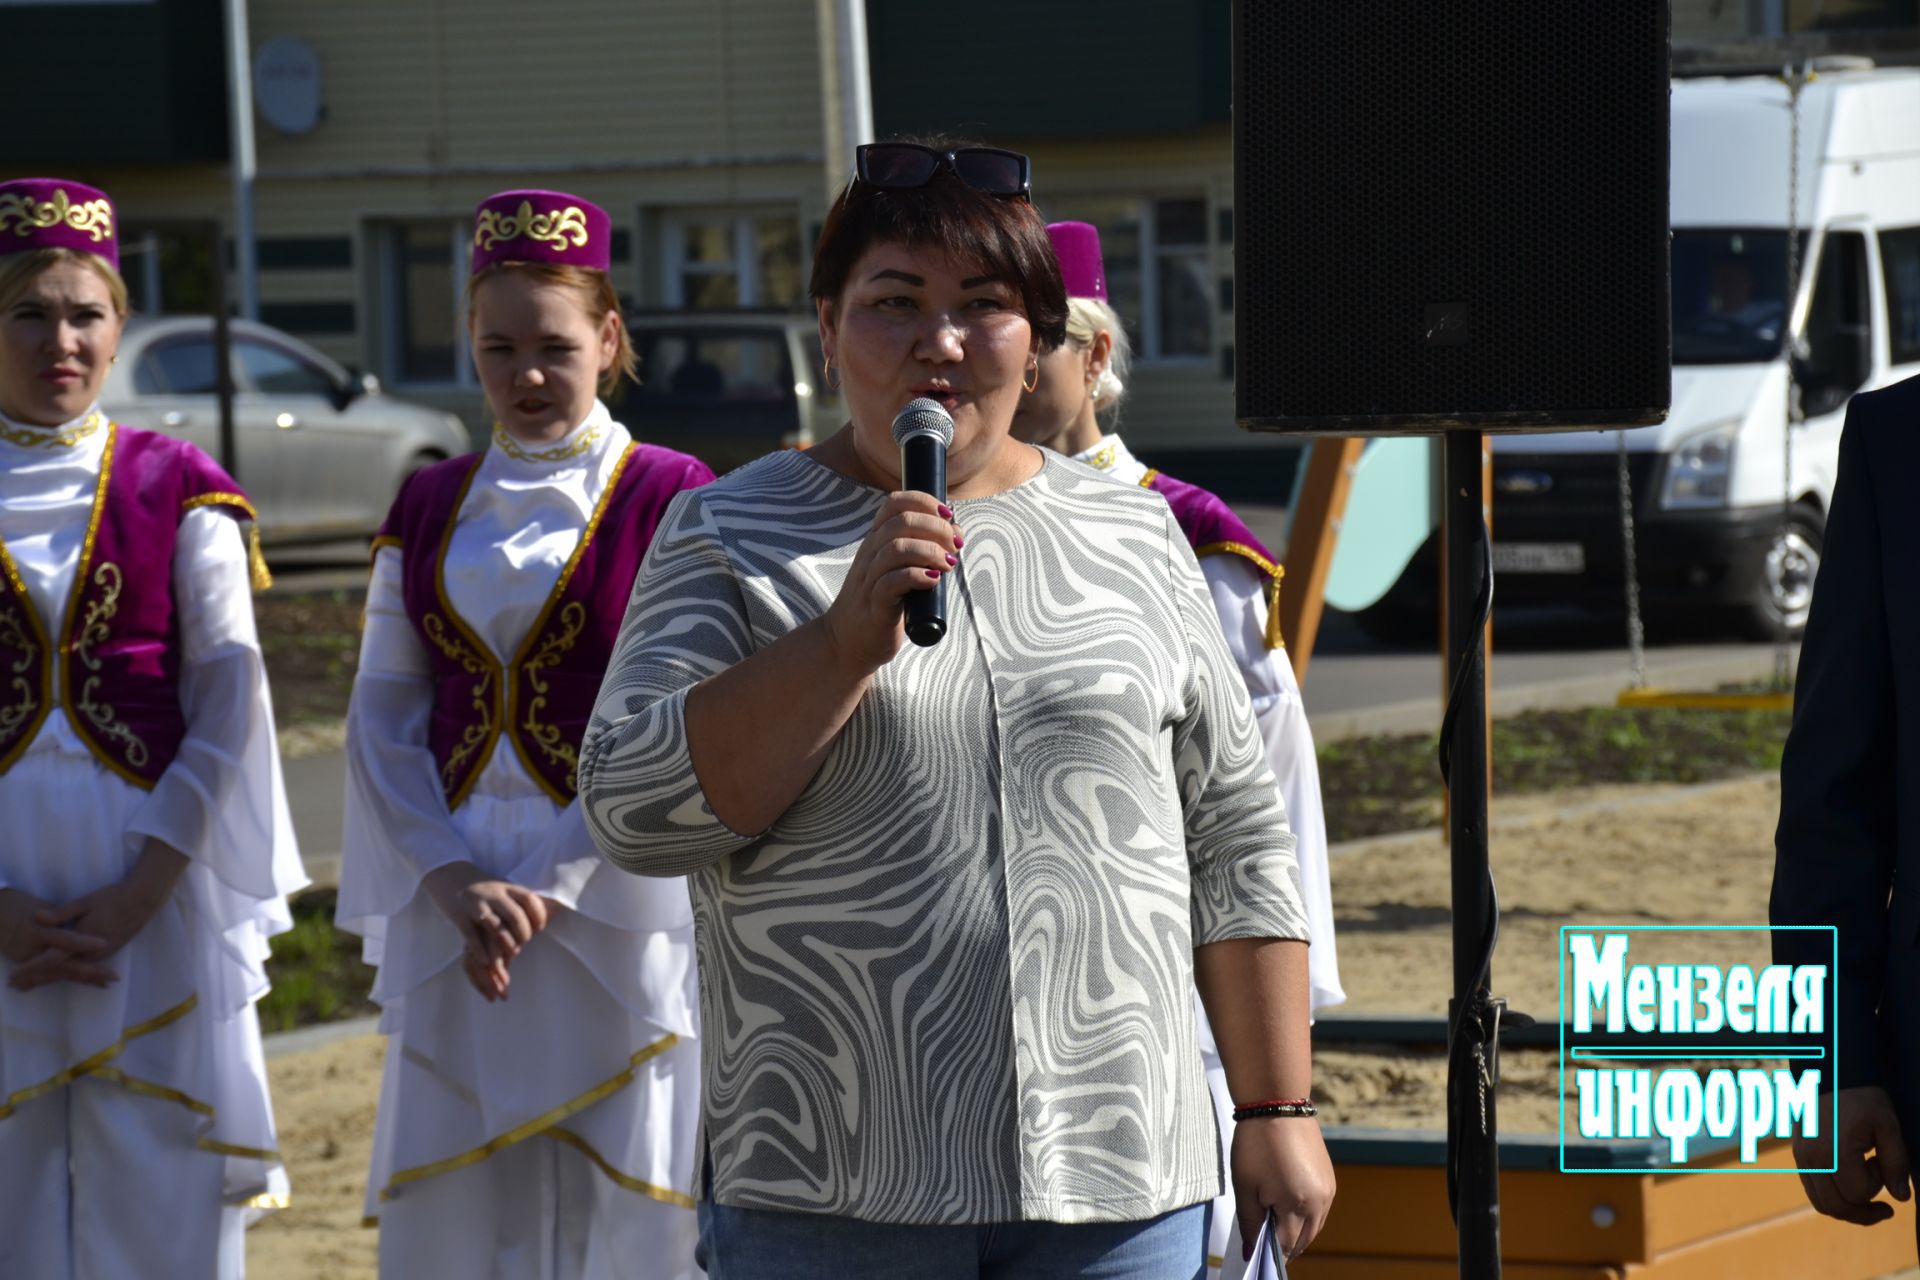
(1080, 381)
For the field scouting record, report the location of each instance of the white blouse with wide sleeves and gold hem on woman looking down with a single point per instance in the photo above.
(610, 984)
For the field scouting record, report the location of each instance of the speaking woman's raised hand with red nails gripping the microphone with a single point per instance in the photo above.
(913, 542)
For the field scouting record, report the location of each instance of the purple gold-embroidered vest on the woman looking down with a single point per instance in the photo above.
(542, 698)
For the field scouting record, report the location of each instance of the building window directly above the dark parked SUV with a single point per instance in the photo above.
(732, 260)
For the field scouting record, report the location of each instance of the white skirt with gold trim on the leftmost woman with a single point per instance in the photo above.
(178, 1033)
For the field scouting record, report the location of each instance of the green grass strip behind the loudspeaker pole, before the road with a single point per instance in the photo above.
(1376, 786)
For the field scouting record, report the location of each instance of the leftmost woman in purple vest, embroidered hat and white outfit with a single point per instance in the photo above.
(147, 845)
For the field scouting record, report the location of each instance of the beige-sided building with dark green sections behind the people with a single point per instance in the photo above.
(704, 128)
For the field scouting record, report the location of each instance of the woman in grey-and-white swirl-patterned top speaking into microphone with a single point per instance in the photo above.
(953, 901)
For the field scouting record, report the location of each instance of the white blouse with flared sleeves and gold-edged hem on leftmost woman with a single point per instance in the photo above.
(76, 826)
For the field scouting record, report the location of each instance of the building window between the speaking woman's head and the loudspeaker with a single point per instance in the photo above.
(1159, 272)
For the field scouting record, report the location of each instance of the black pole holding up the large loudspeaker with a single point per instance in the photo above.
(1472, 1066)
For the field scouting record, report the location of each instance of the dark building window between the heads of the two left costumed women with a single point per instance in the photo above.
(423, 281)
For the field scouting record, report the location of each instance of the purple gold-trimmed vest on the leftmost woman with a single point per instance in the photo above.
(120, 636)
